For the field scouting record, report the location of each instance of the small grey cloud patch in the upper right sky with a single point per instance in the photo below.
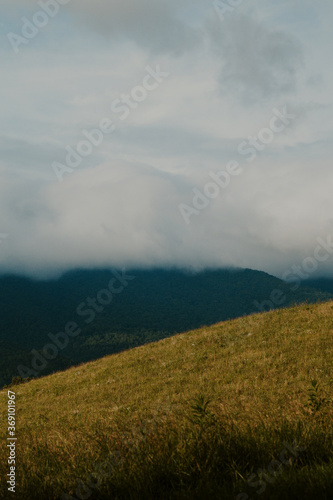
(257, 63)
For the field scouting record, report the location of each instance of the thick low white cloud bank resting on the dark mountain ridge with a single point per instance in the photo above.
(124, 213)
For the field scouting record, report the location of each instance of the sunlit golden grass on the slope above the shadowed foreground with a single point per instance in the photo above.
(255, 370)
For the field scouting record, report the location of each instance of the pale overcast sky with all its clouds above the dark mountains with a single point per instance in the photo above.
(150, 133)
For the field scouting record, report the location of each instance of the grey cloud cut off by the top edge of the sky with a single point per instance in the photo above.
(156, 26)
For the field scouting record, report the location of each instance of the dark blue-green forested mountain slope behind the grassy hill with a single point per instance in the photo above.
(146, 306)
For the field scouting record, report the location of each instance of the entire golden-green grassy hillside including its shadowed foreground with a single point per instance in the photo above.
(237, 410)
